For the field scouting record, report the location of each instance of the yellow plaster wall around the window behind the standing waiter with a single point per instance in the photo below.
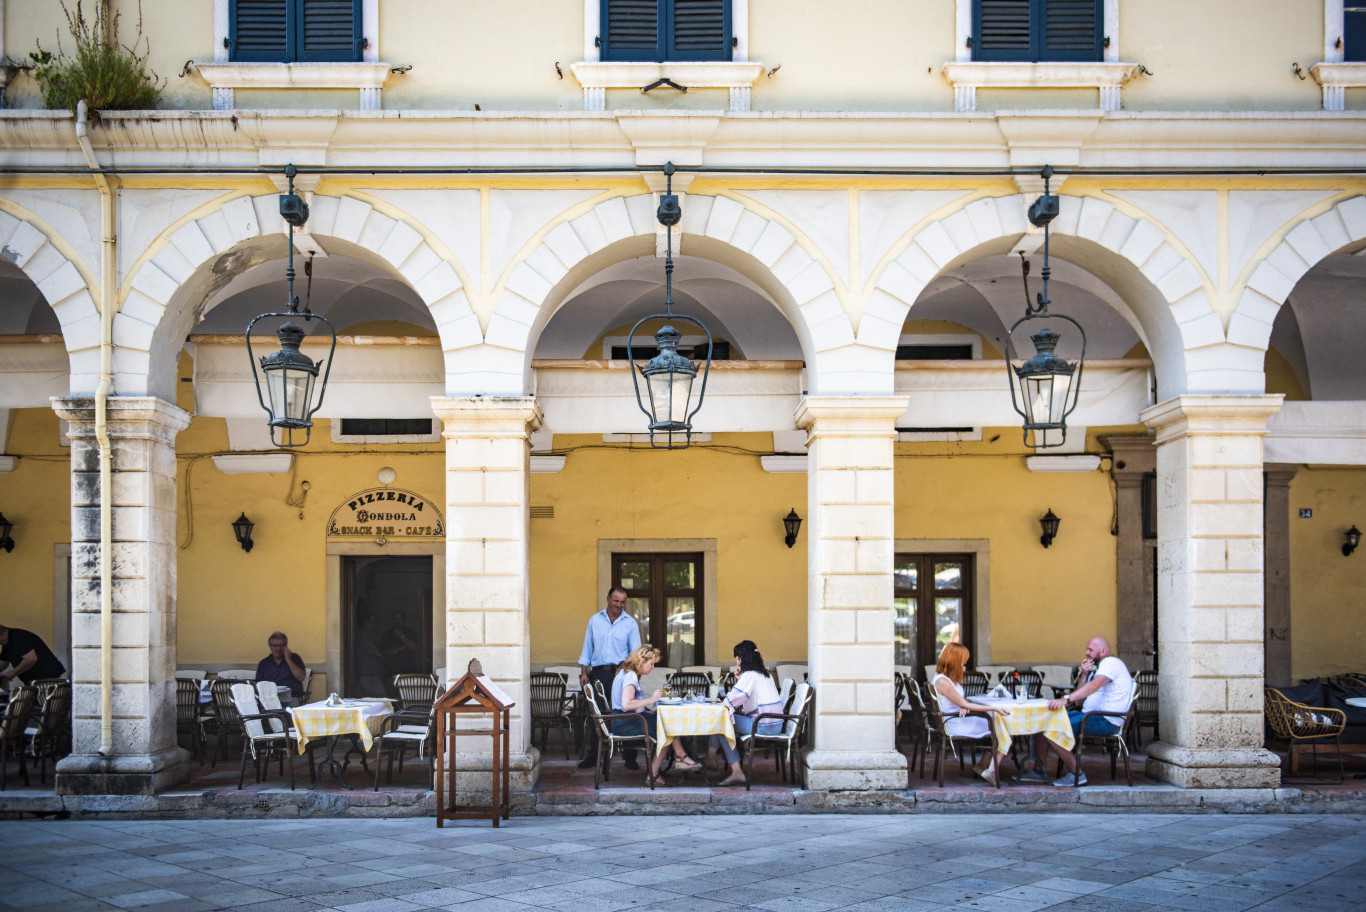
(716, 491)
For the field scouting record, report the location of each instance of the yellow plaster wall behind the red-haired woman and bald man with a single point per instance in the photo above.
(1044, 603)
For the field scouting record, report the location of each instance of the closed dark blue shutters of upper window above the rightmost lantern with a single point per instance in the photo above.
(1037, 31)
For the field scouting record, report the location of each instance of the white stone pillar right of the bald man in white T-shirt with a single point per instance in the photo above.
(1210, 603)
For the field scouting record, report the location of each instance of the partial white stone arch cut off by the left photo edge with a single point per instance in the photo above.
(65, 283)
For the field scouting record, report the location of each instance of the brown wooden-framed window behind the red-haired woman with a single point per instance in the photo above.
(934, 604)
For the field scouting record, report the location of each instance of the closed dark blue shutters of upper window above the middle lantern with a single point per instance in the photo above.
(666, 31)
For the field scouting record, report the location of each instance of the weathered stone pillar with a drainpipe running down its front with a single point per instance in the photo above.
(144, 758)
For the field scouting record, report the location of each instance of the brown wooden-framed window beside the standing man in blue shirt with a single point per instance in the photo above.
(666, 597)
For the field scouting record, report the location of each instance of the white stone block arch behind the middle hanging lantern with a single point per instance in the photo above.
(719, 229)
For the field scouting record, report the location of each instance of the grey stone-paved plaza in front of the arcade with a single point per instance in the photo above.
(789, 864)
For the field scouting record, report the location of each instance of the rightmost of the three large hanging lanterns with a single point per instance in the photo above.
(1048, 386)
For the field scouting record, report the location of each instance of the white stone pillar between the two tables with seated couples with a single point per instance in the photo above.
(849, 618)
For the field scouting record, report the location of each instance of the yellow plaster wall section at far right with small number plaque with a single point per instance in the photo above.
(1328, 622)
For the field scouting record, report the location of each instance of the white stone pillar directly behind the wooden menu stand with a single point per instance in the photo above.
(488, 454)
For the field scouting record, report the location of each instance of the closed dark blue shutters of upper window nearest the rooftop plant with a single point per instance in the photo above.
(296, 31)
